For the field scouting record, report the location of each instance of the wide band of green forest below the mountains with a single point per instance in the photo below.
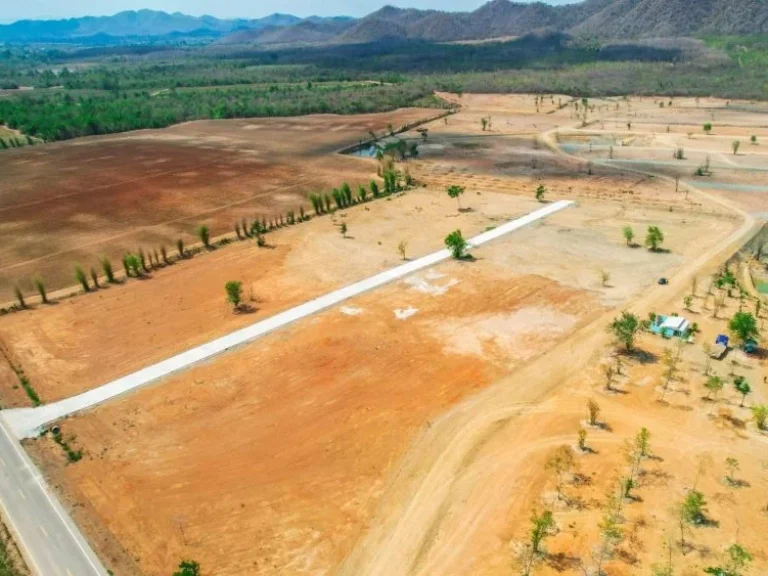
(130, 93)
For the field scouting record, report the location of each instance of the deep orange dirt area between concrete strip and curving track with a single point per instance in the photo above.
(311, 421)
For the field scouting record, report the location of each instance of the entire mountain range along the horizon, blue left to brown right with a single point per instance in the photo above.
(605, 19)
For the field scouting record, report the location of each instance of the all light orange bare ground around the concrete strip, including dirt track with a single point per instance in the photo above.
(406, 432)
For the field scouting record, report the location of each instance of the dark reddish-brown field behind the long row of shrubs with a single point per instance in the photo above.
(74, 202)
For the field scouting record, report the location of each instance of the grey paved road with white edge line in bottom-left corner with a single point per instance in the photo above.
(49, 540)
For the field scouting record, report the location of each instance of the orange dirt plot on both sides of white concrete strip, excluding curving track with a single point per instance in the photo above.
(300, 410)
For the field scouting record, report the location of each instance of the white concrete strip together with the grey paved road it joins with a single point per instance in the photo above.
(50, 541)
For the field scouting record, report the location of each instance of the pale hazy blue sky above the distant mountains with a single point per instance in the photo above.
(17, 10)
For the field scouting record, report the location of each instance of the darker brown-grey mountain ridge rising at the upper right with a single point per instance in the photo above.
(607, 19)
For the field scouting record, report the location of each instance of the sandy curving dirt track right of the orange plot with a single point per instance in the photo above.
(418, 495)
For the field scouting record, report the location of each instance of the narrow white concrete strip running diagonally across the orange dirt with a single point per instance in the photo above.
(27, 422)
